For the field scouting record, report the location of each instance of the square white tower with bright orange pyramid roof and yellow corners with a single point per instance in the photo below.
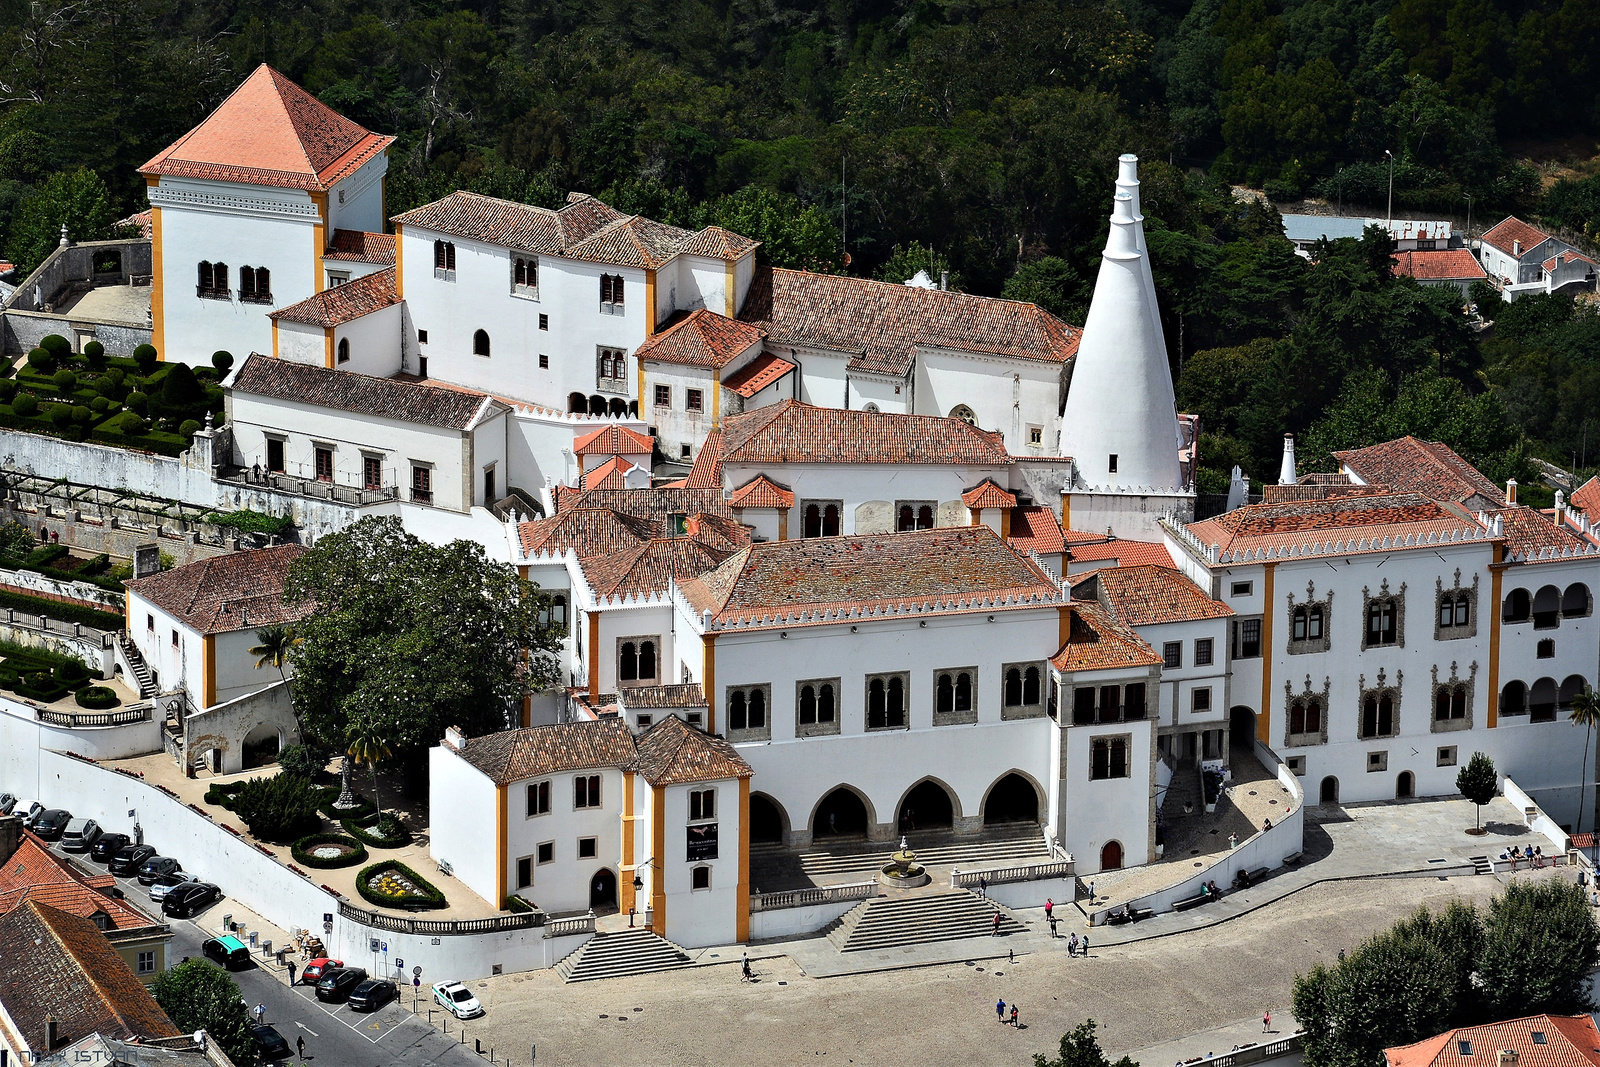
(242, 212)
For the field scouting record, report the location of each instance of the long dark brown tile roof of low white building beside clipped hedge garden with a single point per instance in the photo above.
(362, 394)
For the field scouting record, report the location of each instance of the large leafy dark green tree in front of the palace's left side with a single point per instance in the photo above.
(409, 639)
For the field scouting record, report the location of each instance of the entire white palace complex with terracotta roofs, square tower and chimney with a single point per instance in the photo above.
(838, 561)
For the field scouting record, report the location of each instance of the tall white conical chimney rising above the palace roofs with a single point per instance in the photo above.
(1121, 423)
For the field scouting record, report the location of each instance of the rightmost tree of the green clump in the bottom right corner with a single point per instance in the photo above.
(1540, 943)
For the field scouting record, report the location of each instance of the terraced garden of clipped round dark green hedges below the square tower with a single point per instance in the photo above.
(135, 402)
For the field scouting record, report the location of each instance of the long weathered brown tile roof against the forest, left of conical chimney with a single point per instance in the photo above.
(881, 326)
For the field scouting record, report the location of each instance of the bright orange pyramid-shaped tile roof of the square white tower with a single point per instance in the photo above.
(271, 132)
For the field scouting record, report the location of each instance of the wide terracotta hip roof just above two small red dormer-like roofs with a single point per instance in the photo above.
(798, 433)
